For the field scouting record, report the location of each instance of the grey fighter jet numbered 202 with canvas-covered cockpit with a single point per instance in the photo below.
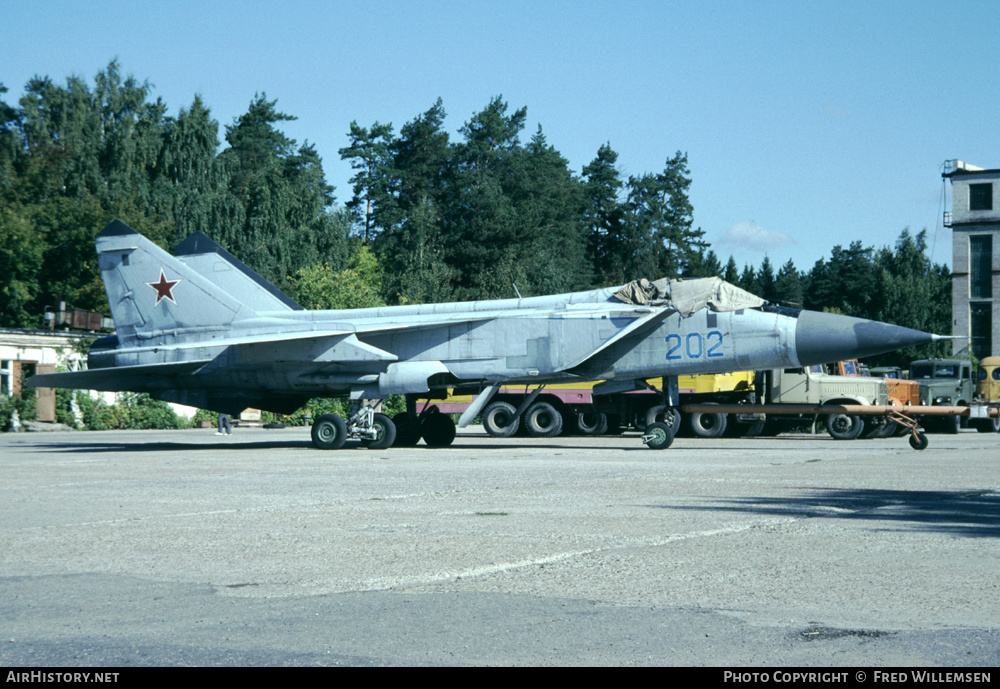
(201, 328)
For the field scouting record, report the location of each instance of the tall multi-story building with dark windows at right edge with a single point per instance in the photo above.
(975, 284)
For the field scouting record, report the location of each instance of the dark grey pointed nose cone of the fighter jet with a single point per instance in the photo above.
(825, 337)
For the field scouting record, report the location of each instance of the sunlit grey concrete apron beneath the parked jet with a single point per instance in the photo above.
(139, 548)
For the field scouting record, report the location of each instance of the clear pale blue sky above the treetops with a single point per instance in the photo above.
(806, 124)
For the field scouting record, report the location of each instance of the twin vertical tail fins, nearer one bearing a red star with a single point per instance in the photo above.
(156, 297)
